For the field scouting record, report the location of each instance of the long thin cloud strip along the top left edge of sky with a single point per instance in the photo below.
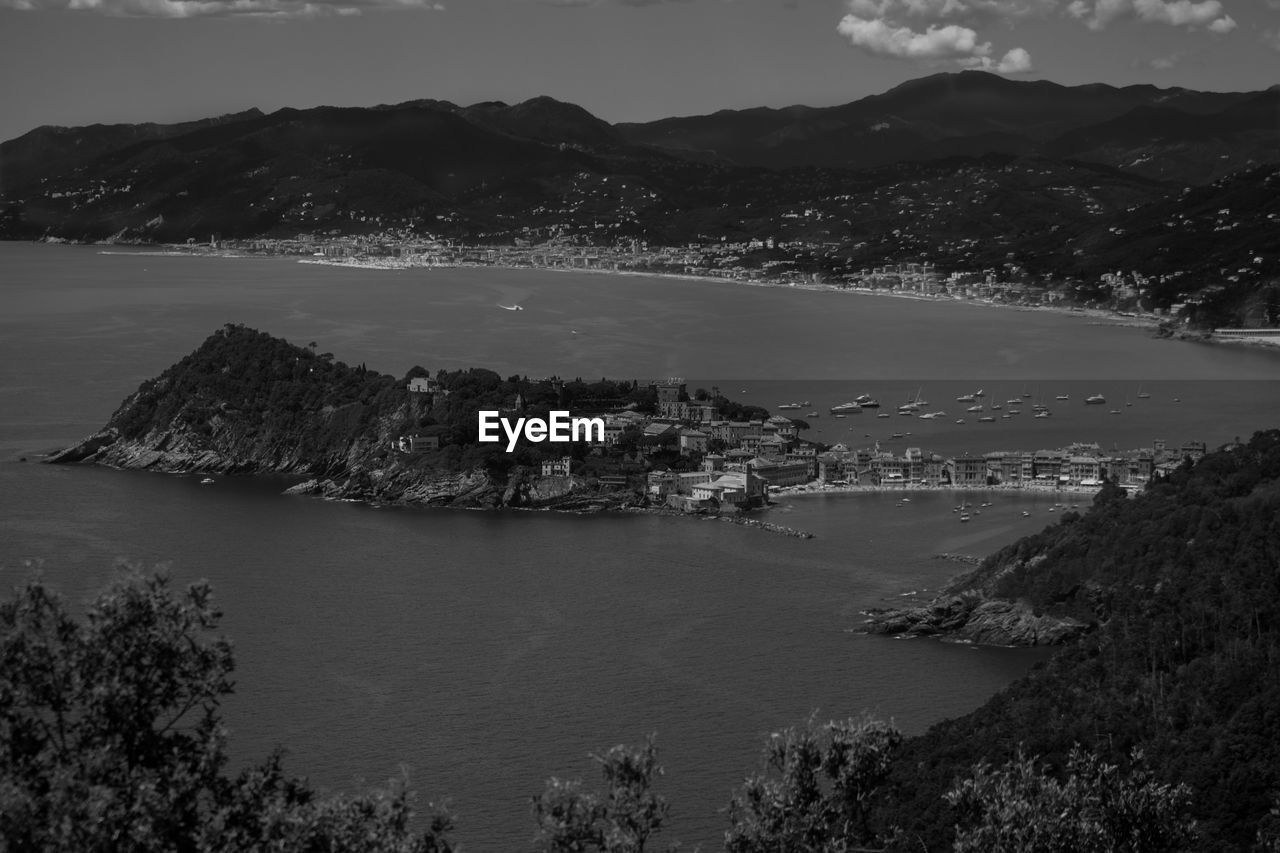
(277, 10)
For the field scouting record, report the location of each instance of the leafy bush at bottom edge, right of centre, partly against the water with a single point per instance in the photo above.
(817, 790)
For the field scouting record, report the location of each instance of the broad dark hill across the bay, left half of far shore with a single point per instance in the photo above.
(294, 171)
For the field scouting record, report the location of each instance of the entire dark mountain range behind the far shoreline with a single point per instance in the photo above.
(968, 171)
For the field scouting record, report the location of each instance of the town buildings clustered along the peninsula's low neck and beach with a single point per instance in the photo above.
(685, 455)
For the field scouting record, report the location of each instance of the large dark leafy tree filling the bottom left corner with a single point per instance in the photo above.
(111, 738)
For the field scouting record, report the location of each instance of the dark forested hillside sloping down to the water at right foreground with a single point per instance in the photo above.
(1183, 586)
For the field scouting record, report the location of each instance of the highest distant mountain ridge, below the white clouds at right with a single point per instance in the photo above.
(968, 113)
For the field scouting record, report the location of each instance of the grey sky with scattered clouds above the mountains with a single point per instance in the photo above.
(85, 62)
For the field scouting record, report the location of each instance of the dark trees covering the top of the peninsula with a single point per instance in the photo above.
(248, 391)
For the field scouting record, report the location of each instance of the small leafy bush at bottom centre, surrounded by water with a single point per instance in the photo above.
(572, 820)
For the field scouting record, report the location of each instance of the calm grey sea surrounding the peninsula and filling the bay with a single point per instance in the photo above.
(479, 654)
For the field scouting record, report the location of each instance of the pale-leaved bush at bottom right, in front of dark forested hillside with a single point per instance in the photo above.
(1094, 809)
